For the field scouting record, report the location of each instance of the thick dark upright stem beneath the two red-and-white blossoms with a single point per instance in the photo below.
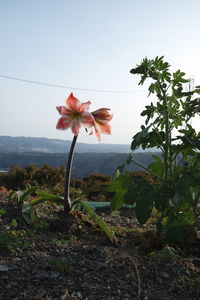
(67, 201)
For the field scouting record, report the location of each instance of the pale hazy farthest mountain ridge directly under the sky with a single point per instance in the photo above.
(21, 144)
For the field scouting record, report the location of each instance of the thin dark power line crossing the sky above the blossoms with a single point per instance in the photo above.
(69, 87)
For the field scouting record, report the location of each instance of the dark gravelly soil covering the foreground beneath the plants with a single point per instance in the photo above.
(59, 259)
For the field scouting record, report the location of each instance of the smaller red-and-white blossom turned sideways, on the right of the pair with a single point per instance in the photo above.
(101, 119)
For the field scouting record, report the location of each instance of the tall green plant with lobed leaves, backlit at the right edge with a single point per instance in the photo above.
(175, 187)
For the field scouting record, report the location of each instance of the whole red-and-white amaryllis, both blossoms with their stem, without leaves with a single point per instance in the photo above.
(73, 115)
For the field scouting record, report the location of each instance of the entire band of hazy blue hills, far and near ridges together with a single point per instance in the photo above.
(88, 158)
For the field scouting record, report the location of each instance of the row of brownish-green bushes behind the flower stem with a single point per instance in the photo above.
(93, 187)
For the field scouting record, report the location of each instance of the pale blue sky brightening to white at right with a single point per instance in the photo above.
(88, 45)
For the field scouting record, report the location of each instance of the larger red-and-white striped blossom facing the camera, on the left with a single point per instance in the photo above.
(74, 114)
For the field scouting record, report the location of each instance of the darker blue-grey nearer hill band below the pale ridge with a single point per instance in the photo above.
(84, 164)
